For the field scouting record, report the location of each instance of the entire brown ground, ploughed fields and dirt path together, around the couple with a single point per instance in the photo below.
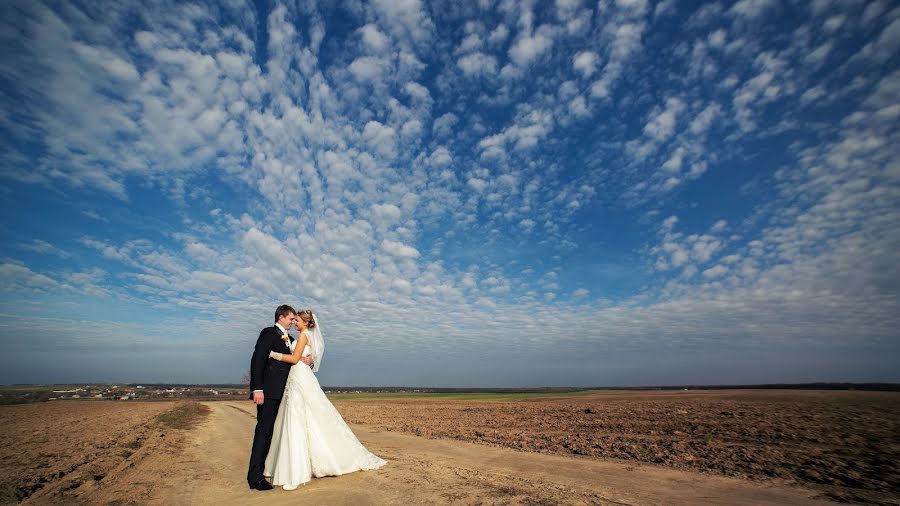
(609, 448)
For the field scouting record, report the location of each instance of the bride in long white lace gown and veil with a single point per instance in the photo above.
(310, 438)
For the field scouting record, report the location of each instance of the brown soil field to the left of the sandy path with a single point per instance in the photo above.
(77, 452)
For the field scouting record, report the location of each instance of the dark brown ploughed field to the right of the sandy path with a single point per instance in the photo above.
(844, 444)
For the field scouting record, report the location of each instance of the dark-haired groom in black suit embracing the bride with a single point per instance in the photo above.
(267, 380)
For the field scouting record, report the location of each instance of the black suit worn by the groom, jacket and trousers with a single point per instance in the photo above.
(270, 376)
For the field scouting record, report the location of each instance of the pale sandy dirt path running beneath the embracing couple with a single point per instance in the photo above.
(425, 471)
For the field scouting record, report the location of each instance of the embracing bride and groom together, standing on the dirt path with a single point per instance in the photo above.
(299, 434)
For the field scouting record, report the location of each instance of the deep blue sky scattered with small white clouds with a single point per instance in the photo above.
(479, 193)
